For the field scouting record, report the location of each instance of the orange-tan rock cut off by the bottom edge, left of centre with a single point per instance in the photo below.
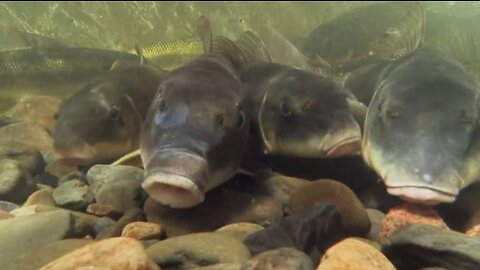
(120, 253)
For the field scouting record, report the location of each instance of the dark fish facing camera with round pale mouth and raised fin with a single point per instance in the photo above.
(196, 128)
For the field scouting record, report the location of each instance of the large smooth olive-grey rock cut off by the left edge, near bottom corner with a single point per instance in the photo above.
(22, 233)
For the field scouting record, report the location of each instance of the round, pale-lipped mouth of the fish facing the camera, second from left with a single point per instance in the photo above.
(174, 190)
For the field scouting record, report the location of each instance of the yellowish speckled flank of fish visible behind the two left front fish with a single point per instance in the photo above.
(172, 54)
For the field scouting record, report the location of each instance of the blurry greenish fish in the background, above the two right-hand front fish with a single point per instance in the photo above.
(384, 31)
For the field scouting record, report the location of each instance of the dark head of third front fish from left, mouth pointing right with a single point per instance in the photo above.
(305, 115)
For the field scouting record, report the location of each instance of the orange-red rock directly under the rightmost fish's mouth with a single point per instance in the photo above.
(407, 214)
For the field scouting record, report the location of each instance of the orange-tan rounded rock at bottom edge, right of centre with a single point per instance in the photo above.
(354, 254)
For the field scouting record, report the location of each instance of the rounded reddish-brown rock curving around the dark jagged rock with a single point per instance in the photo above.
(354, 216)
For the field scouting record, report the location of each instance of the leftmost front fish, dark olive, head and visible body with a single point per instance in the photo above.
(102, 121)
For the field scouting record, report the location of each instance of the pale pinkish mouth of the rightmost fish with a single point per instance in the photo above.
(422, 195)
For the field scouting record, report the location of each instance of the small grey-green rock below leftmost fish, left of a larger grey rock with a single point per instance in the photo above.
(74, 195)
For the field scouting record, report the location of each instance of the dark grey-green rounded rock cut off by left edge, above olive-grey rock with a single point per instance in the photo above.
(16, 183)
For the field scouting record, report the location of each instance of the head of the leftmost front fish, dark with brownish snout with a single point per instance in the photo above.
(98, 123)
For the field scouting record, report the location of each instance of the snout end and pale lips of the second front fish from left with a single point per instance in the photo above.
(176, 178)
